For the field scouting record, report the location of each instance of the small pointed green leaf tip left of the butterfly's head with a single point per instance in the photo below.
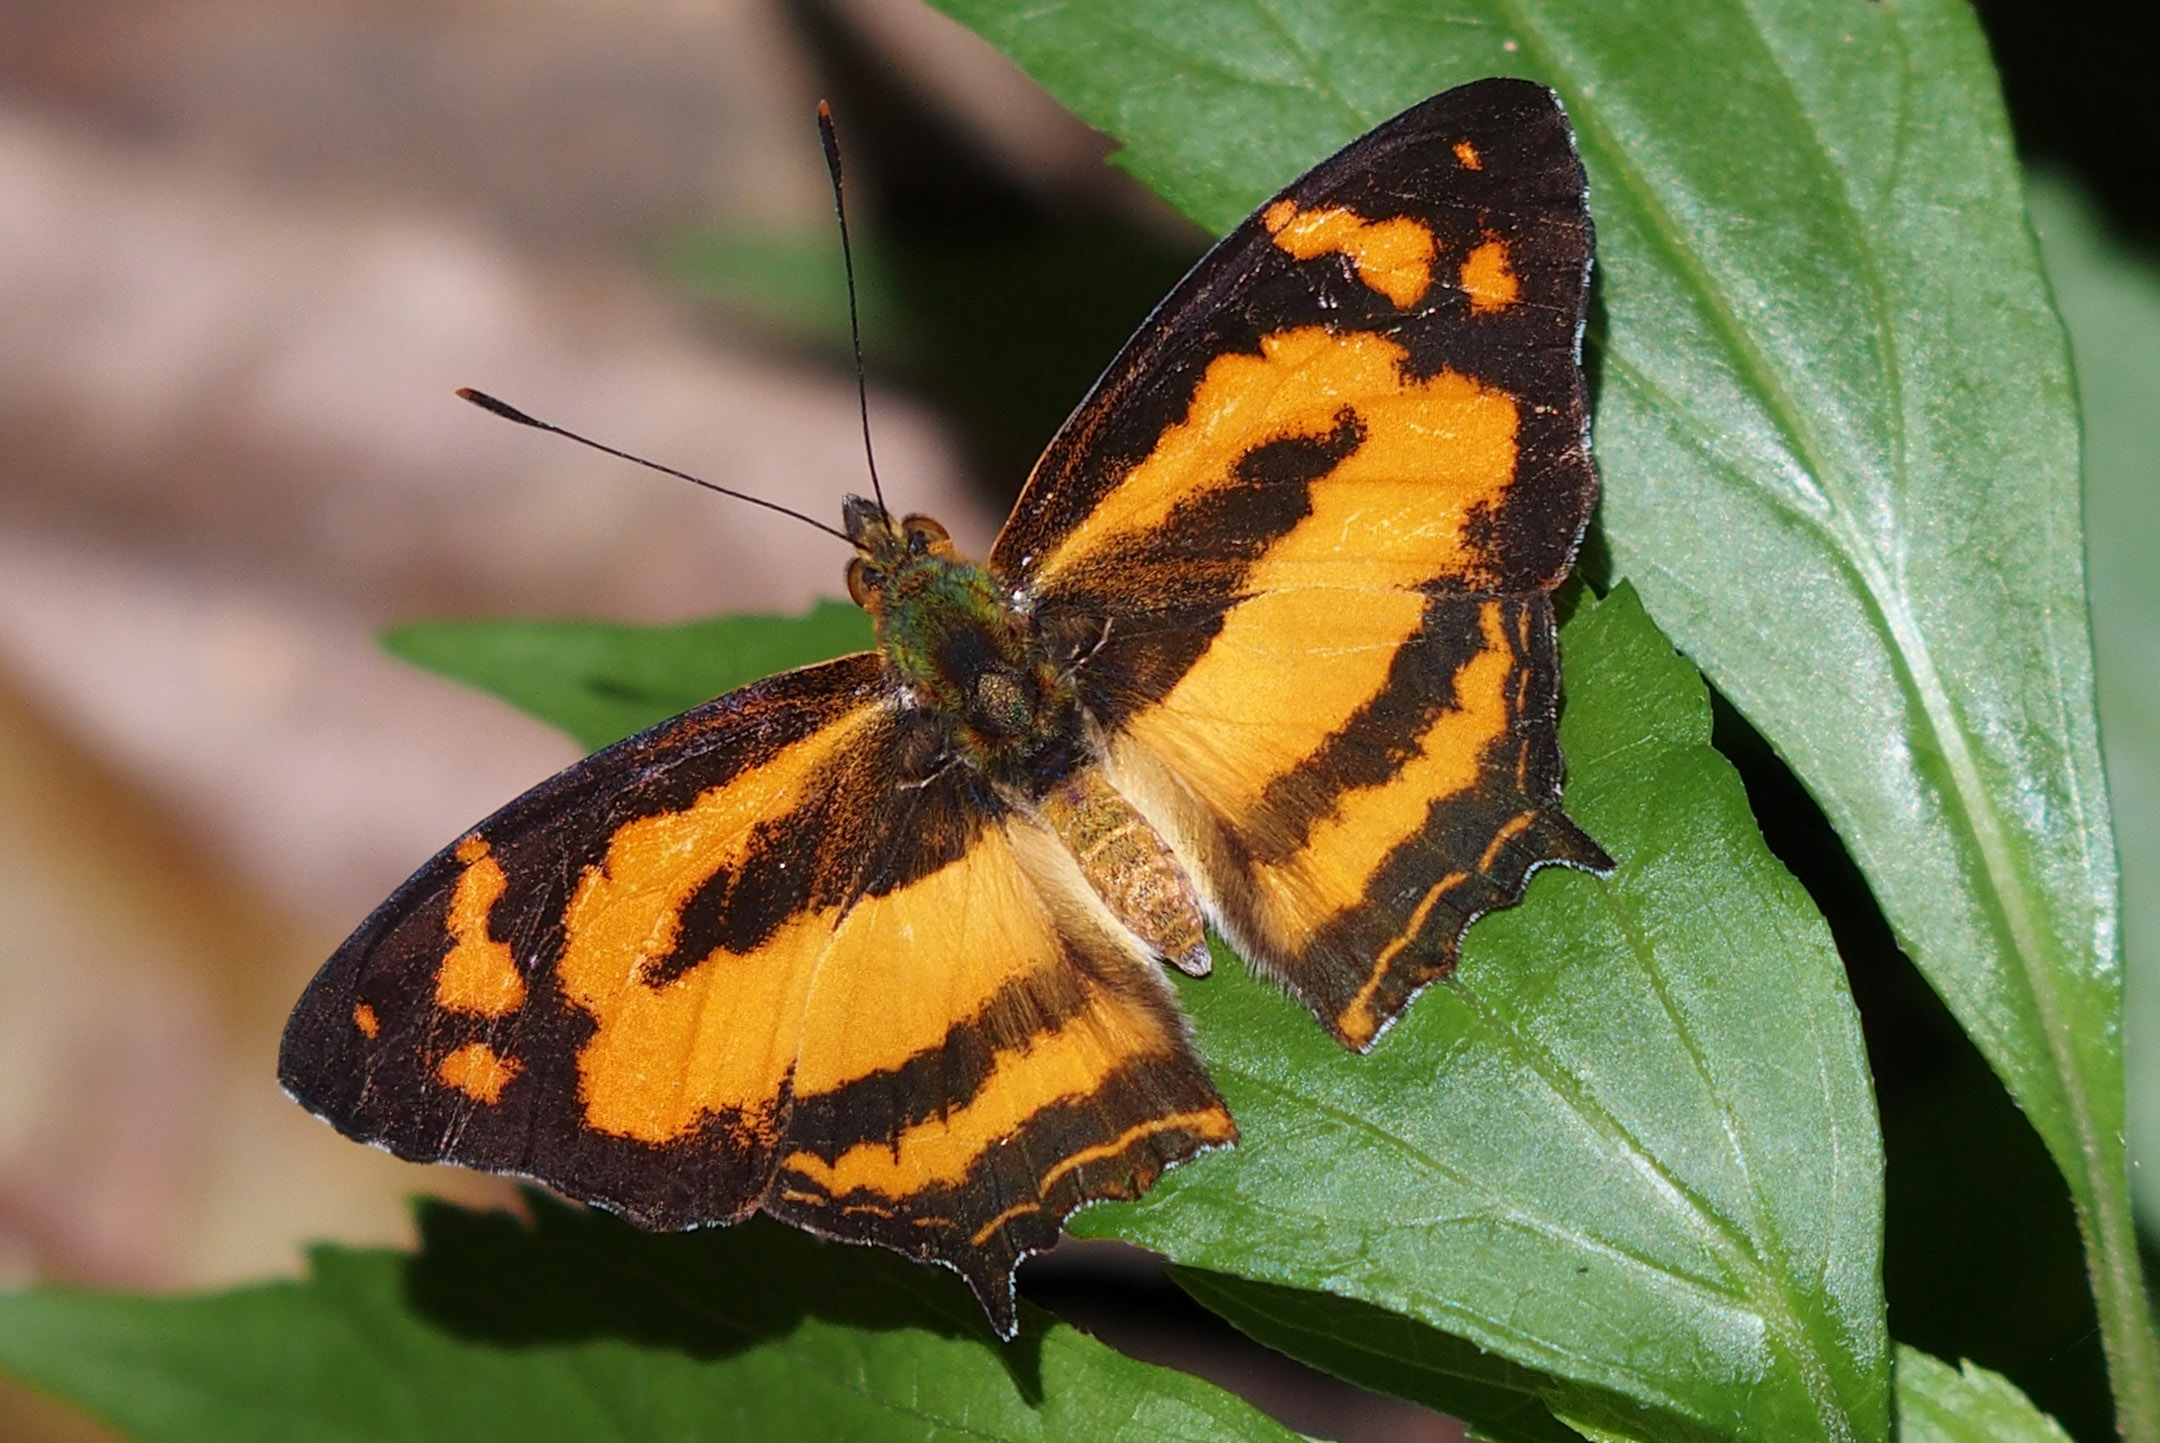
(602, 684)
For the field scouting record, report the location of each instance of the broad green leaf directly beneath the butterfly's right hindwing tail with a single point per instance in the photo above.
(1632, 1146)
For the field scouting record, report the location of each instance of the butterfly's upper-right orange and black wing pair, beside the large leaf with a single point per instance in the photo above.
(1301, 543)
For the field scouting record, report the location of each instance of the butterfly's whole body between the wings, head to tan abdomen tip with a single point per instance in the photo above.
(1005, 707)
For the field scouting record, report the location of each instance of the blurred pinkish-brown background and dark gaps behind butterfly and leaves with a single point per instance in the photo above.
(247, 254)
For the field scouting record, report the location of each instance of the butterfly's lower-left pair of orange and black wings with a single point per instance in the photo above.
(770, 954)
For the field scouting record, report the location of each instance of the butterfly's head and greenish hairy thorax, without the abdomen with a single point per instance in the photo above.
(962, 649)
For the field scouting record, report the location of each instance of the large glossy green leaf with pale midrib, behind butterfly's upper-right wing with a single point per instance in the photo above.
(1837, 429)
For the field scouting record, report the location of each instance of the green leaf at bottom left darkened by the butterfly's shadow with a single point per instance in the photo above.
(586, 1330)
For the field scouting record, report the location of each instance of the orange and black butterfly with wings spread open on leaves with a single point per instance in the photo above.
(878, 945)
